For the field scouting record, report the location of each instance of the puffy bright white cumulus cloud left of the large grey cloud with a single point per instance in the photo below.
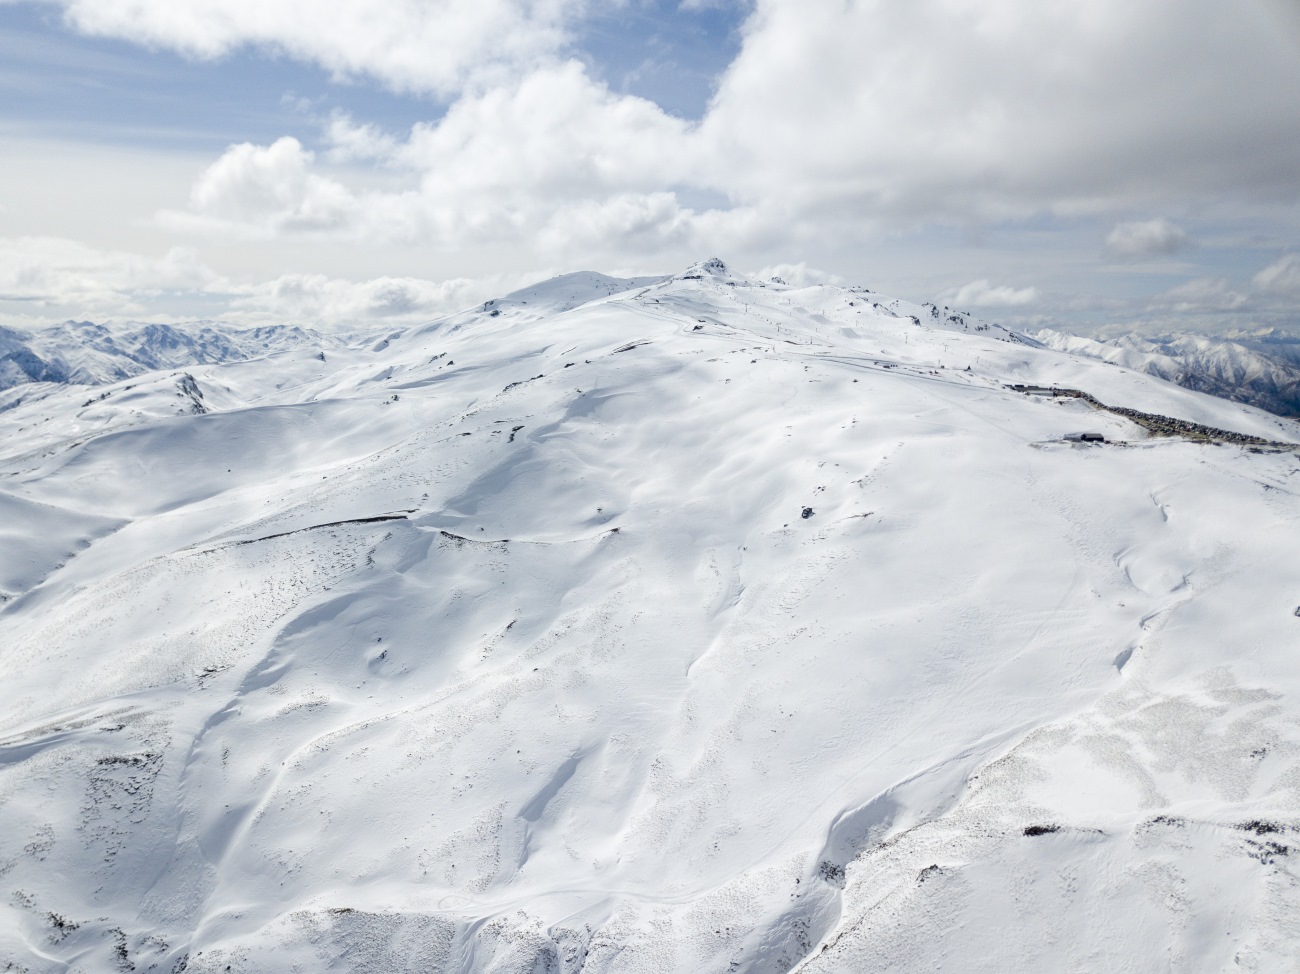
(557, 161)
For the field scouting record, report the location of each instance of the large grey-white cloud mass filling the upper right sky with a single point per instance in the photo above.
(996, 109)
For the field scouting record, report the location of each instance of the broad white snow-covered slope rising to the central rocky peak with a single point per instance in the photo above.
(697, 626)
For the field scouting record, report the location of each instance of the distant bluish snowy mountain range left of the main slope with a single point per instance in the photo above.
(85, 353)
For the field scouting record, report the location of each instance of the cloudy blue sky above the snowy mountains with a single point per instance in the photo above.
(1093, 166)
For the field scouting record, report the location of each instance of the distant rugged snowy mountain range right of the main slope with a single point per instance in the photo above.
(1262, 370)
